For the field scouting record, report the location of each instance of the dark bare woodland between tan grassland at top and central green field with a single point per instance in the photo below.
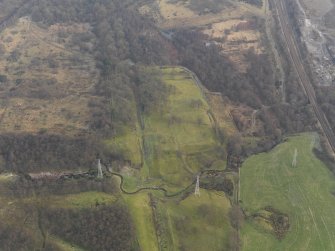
(255, 88)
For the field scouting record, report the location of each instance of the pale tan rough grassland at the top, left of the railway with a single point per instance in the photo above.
(232, 25)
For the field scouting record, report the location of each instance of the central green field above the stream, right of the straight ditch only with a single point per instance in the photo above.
(169, 145)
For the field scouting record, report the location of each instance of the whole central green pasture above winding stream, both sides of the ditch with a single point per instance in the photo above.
(176, 142)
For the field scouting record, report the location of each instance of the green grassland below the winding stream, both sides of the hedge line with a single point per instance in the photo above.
(195, 223)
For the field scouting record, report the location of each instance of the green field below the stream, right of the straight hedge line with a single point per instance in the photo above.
(199, 223)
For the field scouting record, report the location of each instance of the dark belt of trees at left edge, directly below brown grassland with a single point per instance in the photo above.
(29, 153)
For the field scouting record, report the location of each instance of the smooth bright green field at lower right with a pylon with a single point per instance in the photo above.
(304, 193)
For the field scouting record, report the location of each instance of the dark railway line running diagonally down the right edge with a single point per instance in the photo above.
(280, 9)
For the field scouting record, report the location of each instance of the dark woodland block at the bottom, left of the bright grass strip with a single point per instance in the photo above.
(103, 227)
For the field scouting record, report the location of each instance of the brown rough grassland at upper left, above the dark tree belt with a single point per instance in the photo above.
(49, 83)
